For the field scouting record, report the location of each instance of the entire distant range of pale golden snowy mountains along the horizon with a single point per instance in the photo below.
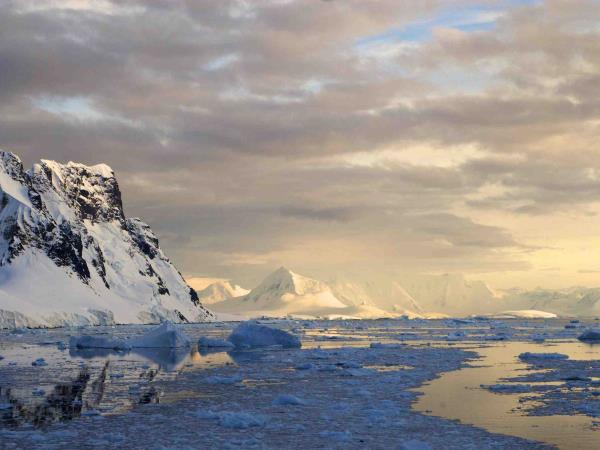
(286, 293)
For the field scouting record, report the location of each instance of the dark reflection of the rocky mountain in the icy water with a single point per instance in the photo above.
(102, 381)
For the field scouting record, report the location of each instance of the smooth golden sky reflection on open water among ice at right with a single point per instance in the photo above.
(458, 395)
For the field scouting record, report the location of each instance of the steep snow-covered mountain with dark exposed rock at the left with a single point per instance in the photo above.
(68, 254)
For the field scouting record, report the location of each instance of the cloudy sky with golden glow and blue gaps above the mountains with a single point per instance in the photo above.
(337, 138)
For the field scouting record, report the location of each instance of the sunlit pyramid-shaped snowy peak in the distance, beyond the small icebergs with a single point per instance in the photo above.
(286, 293)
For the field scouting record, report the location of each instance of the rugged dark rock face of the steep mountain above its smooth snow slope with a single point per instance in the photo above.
(73, 213)
